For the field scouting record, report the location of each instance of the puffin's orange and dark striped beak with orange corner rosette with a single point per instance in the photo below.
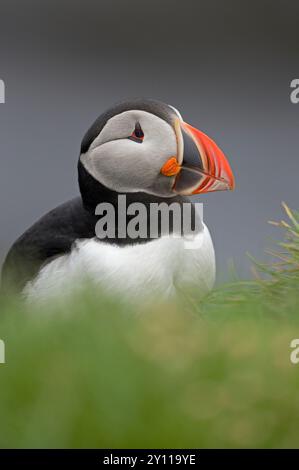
(201, 166)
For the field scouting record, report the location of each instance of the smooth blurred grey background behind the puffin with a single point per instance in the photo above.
(227, 66)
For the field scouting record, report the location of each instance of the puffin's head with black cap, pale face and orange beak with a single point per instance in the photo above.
(144, 145)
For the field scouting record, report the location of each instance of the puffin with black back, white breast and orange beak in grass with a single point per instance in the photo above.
(140, 153)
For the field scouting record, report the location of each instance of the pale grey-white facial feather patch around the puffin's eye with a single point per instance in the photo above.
(127, 166)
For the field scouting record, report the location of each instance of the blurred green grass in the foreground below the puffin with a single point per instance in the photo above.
(94, 372)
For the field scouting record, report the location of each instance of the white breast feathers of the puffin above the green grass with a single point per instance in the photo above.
(159, 267)
